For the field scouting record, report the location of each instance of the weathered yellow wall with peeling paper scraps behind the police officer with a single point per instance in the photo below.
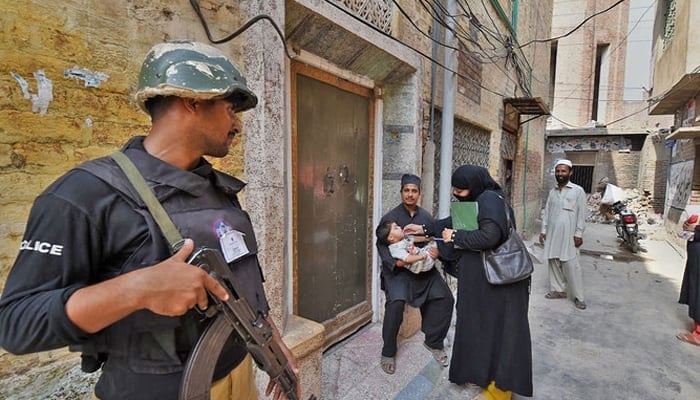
(67, 78)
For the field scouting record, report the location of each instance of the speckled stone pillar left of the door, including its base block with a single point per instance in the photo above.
(266, 197)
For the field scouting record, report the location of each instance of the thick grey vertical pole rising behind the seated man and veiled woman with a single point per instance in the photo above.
(448, 112)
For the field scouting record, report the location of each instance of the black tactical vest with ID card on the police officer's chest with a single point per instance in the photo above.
(203, 207)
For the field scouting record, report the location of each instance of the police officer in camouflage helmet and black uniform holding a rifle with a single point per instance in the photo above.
(95, 271)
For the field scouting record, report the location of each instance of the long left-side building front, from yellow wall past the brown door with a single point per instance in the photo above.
(350, 100)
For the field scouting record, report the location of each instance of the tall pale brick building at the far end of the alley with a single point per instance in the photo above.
(601, 79)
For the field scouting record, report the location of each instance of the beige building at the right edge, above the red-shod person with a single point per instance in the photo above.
(676, 60)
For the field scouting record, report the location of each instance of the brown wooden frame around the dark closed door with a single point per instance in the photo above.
(352, 319)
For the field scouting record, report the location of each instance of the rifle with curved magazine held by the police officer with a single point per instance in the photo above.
(233, 314)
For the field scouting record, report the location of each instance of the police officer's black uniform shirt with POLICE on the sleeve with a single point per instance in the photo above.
(80, 232)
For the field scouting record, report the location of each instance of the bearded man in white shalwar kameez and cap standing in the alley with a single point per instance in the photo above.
(562, 235)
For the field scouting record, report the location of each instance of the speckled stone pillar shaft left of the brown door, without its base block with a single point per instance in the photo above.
(265, 148)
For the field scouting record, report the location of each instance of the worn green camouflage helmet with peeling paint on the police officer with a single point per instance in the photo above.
(192, 70)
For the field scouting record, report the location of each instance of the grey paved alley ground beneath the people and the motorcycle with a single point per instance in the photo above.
(622, 347)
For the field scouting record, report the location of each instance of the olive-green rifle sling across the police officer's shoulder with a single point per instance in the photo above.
(166, 225)
